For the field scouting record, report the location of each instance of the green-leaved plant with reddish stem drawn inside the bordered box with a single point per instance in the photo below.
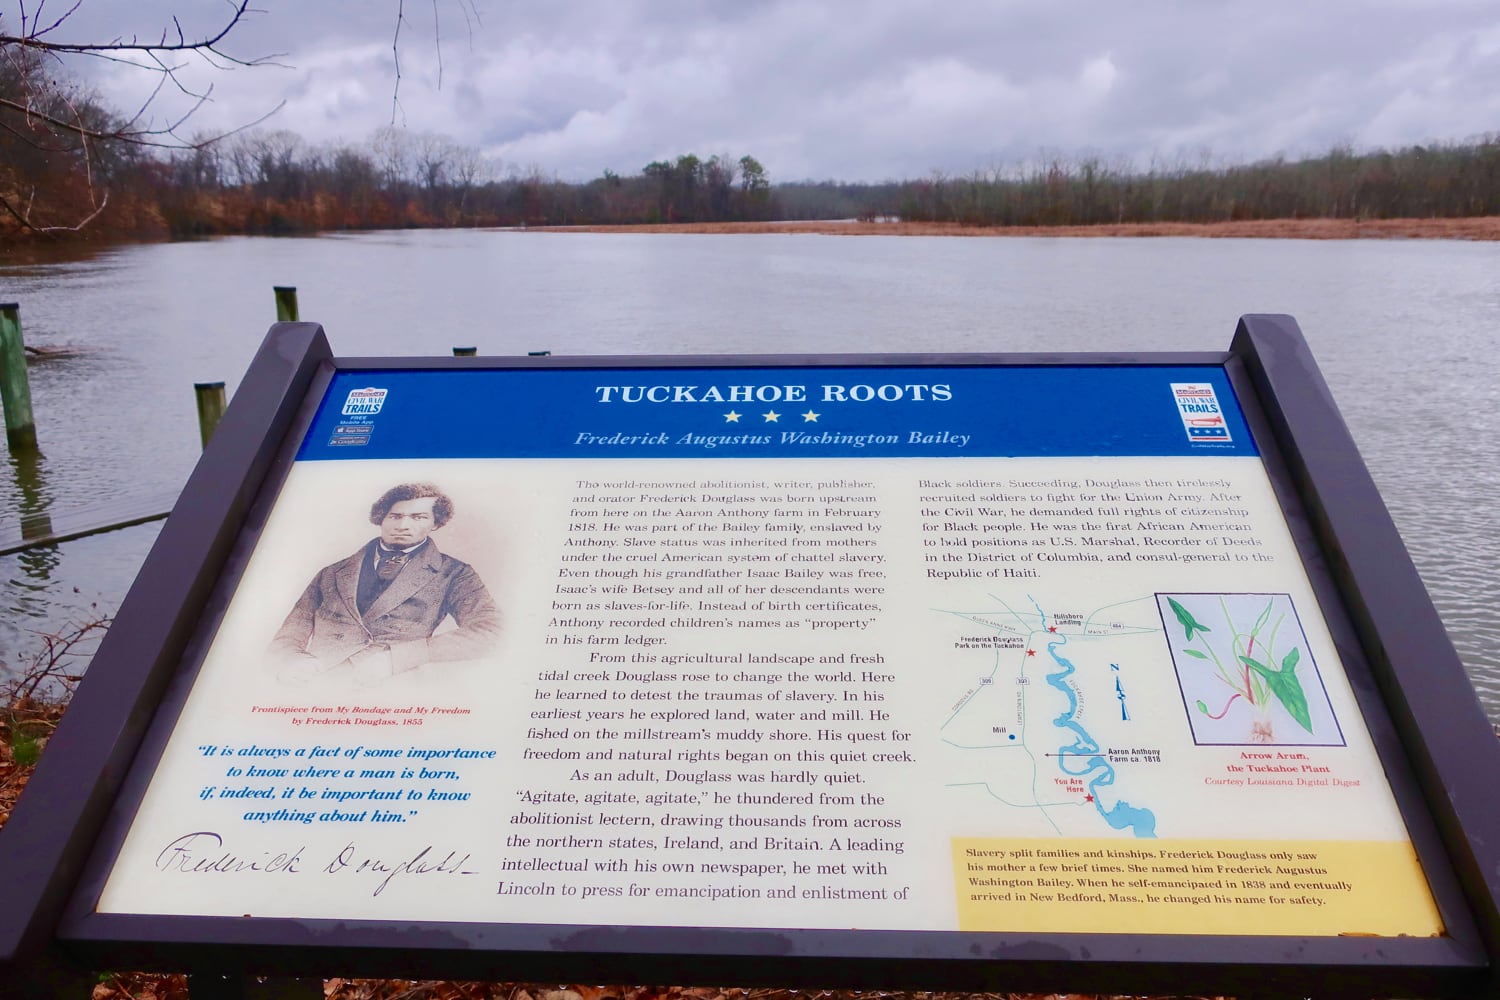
(1249, 672)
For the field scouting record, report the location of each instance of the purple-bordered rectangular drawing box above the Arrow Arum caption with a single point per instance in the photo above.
(1246, 672)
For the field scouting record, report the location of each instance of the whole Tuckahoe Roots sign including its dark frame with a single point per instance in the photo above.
(1105, 674)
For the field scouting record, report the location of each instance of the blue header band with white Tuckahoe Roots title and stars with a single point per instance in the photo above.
(779, 413)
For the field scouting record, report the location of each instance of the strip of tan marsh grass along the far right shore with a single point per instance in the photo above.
(1475, 229)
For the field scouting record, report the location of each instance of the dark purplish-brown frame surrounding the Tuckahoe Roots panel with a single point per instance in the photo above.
(1418, 705)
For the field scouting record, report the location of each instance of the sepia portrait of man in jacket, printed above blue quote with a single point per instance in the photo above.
(380, 609)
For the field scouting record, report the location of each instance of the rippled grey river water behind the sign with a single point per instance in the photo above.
(1403, 332)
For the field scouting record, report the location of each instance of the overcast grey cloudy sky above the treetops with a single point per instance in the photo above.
(847, 91)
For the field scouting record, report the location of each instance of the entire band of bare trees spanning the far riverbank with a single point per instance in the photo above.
(71, 166)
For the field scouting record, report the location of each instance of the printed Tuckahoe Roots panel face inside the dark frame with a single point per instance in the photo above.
(941, 648)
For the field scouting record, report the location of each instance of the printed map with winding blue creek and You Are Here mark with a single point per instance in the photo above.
(1049, 717)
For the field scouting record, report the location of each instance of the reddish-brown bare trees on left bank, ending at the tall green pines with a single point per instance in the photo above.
(73, 167)
